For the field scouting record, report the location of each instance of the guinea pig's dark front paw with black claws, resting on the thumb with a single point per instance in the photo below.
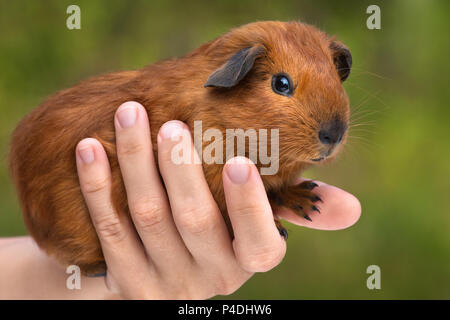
(299, 198)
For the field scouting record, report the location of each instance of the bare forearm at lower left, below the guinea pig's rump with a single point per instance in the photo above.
(28, 273)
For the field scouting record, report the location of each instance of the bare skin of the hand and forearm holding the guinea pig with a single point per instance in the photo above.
(176, 244)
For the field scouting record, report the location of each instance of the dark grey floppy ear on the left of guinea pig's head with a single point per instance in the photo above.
(235, 69)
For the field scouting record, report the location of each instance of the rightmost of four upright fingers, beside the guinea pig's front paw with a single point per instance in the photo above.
(257, 243)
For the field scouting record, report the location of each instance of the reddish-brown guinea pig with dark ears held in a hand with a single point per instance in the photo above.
(263, 75)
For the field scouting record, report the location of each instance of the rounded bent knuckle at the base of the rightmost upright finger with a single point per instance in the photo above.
(262, 260)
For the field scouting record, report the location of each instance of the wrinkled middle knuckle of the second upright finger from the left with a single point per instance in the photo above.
(148, 213)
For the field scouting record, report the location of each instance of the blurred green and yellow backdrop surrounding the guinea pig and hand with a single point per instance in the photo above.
(396, 161)
